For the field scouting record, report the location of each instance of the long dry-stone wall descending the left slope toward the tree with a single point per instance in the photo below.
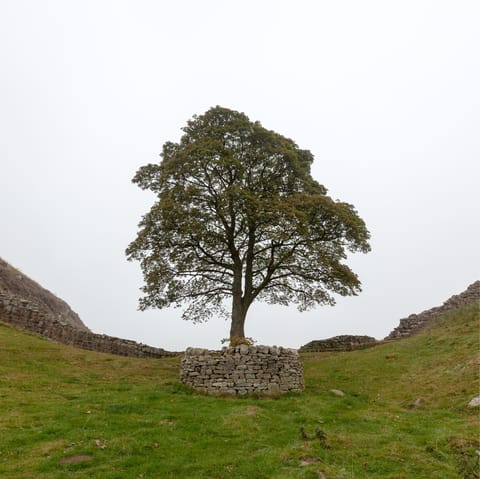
(27, 315)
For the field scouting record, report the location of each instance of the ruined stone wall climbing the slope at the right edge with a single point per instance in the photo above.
(416, 322)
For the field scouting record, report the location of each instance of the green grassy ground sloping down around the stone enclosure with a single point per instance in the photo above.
(135, 421)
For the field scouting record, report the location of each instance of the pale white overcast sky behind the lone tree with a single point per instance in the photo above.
(385, 94)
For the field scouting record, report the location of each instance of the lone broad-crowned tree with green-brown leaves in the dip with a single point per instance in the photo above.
(238, 215)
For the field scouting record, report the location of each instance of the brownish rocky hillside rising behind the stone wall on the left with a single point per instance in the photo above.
(15, 283)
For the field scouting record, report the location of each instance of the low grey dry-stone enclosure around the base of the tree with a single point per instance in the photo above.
(243, 370)
